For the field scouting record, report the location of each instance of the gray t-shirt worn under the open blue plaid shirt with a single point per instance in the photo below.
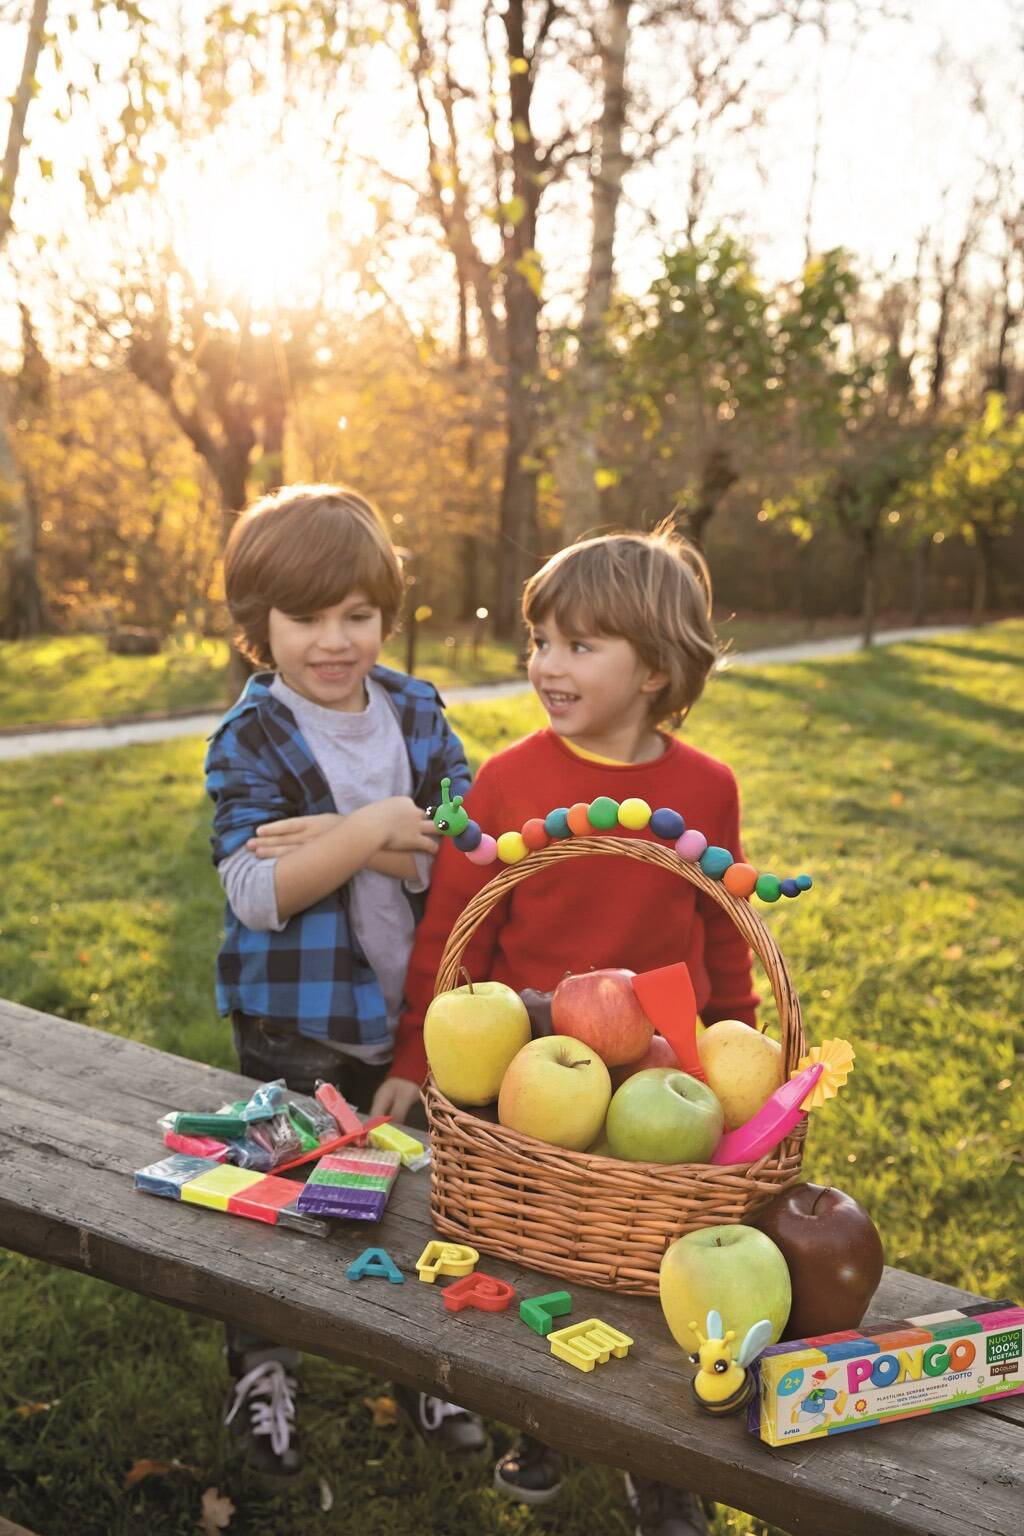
(363, 758)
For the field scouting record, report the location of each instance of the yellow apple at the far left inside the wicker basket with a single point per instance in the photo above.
(472, 1034)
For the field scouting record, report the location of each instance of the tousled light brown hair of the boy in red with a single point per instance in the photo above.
(650, 589)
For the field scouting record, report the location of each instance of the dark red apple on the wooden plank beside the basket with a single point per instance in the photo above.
(834, 1257)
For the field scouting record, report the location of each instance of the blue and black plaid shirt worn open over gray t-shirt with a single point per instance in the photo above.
(259, 769)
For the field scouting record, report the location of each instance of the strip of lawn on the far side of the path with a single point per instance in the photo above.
(74, 677)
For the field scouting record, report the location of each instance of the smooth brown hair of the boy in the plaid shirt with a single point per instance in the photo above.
(302, 551)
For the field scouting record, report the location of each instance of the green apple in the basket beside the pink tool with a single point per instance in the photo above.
(664, 1116)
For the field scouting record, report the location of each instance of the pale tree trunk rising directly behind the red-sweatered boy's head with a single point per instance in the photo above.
(578, 460)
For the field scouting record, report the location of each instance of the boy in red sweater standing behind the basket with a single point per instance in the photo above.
(621, 644)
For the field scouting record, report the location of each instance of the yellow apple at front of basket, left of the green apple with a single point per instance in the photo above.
(558, 1091)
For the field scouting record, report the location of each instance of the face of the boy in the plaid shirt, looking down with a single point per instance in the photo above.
(326, 655)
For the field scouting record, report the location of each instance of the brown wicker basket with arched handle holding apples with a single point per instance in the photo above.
(595, 1220)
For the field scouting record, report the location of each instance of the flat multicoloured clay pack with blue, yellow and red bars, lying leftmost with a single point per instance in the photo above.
(220, 1187)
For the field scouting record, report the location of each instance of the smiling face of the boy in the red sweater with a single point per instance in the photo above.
(592, 686)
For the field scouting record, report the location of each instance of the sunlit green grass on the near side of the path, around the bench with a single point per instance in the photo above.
(894, 778)
